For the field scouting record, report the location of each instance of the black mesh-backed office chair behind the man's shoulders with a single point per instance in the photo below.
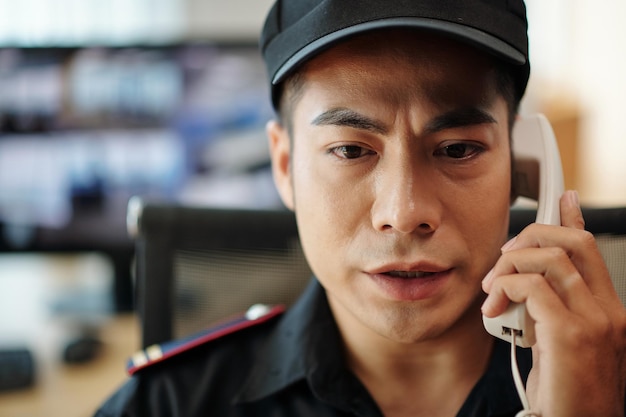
(196, 266)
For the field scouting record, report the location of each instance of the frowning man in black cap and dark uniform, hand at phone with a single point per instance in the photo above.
(393, 149)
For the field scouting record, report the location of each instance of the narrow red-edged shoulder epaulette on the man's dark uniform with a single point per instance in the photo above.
(257, 314)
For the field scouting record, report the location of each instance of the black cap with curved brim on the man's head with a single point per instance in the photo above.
(298, 30)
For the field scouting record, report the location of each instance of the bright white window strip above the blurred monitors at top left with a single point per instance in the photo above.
(36, 23)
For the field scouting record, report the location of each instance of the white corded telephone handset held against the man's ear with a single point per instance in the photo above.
(538, 176)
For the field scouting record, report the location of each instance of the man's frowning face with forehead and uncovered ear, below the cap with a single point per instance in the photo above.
(399, 174)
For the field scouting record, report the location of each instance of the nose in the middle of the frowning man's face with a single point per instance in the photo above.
(406, 199)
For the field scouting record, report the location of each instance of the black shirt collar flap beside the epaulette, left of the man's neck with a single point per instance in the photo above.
(306, 346)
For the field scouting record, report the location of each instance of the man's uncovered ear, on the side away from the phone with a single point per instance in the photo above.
(280, 153)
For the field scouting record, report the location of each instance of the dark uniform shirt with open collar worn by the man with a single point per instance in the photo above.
(285, 365)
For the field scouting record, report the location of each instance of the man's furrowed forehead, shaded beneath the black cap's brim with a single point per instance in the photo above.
(432, 68)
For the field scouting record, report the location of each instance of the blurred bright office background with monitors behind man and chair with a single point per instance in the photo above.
(167, 99)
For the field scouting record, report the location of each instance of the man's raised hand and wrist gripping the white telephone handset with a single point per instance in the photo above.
(579, 360)
